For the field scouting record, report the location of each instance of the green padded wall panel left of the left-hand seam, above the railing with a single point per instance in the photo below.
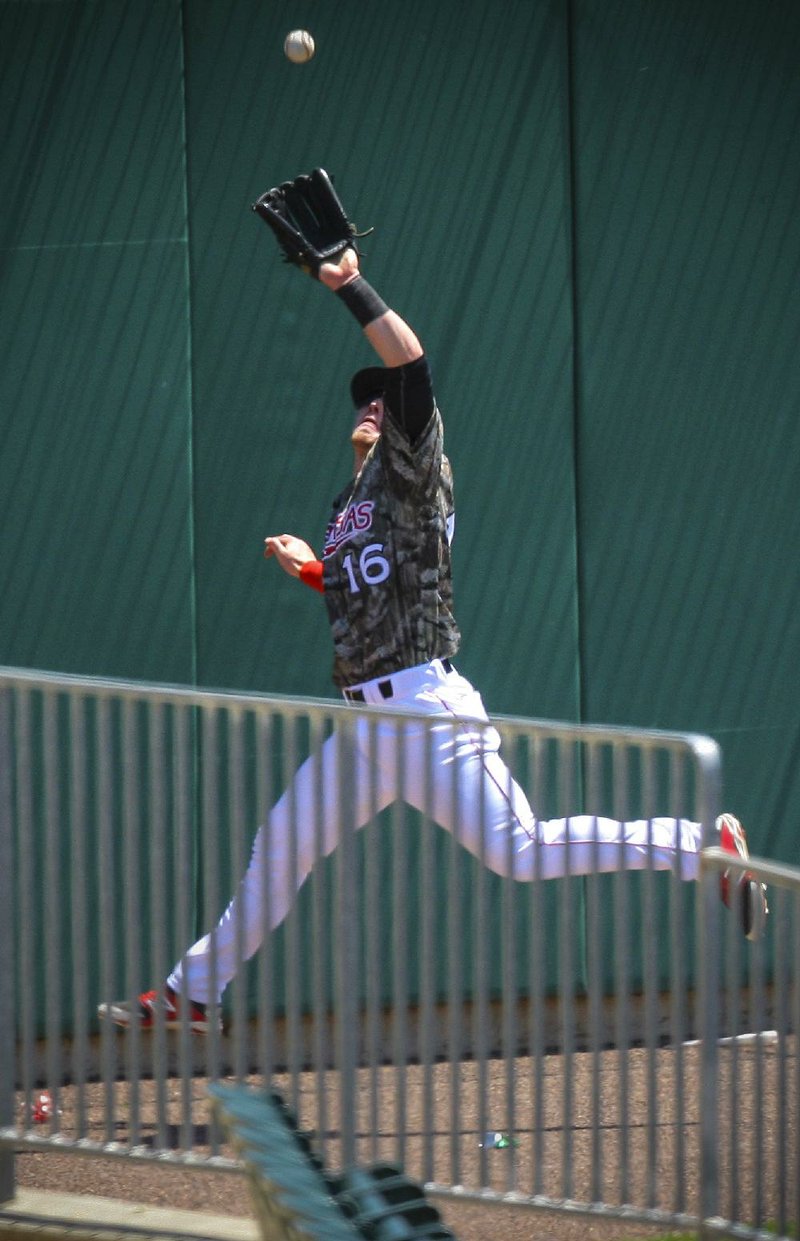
(96, 564)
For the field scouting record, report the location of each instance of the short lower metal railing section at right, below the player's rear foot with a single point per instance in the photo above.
(750, 1095)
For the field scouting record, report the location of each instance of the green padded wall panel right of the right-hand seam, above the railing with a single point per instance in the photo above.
(688, 261)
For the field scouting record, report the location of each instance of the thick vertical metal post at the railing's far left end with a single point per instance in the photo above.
(8, 941)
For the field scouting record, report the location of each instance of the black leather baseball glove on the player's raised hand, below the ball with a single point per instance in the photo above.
(308, 220)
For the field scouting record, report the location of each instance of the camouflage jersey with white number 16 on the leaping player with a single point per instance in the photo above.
(388, 557)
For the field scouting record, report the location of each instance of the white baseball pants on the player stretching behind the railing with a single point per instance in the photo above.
(452, 773)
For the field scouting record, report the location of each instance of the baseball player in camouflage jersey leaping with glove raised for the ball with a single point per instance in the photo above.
(385, 575)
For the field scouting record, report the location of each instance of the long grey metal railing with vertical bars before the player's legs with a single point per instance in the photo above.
(541, 1043)
